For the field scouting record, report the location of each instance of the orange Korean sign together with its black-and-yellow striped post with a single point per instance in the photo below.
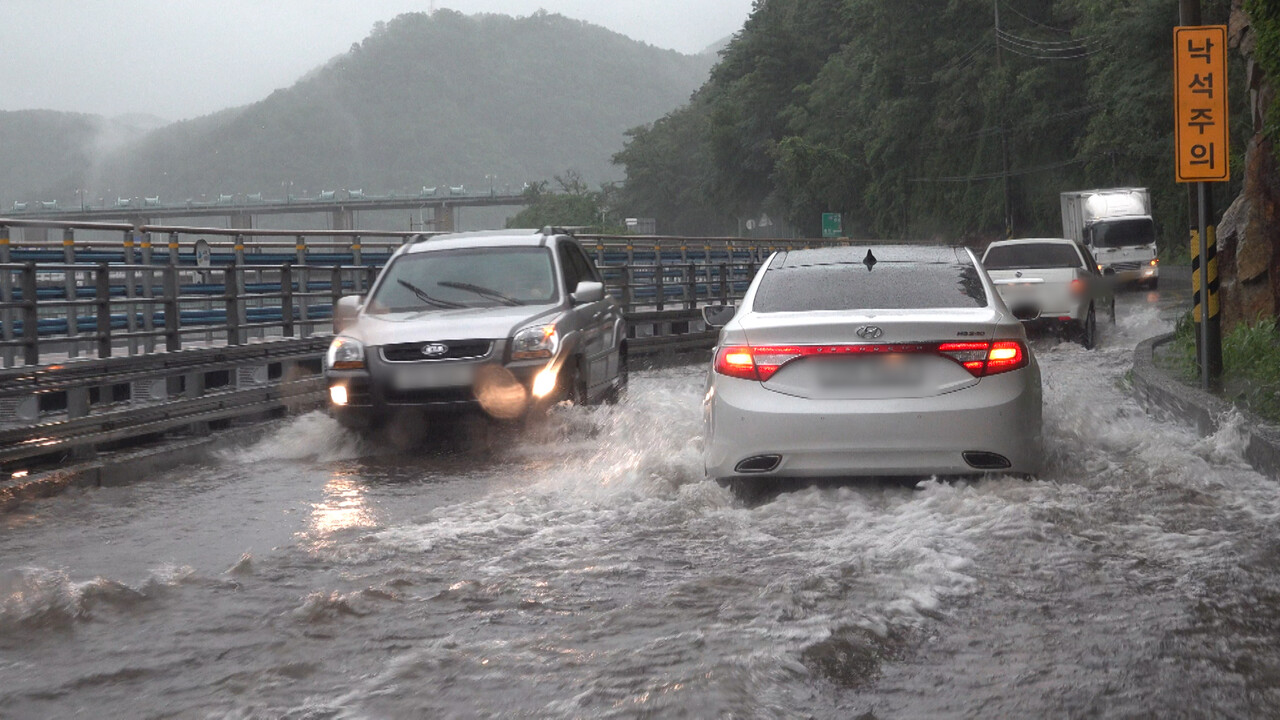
(1203, 157)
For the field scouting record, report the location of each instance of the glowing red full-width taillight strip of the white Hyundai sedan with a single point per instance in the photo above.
(761, 363)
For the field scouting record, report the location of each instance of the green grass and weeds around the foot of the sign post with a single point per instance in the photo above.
(1251, 364)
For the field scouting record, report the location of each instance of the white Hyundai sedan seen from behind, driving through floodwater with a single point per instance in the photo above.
(871, 361)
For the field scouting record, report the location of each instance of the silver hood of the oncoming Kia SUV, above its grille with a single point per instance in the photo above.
(468, 323)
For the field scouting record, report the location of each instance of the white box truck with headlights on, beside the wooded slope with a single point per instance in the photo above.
(1117, 226)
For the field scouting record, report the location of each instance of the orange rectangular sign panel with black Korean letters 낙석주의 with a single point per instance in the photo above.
(1200, 104)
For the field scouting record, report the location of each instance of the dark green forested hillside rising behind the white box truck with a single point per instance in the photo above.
(898, 115)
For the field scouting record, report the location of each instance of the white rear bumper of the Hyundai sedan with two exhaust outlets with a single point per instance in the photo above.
(876, 438)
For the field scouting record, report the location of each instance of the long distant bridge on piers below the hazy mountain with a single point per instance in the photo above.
(241, 211)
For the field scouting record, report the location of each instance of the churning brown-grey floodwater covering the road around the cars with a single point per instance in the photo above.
(588, 571)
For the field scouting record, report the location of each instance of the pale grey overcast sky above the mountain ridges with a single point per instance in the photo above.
(180, 60)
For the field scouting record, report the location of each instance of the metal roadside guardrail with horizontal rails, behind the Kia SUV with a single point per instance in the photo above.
(109, 340)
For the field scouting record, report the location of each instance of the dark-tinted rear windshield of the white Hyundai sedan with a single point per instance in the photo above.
(888, 286)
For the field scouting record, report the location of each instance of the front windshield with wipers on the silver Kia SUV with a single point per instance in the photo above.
(467, 279)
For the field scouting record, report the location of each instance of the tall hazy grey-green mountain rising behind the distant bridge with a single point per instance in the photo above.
(426, 101)
